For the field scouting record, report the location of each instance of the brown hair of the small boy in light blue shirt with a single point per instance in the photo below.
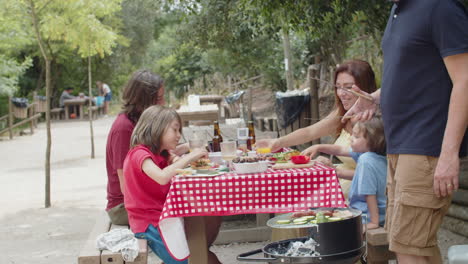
(373, 131)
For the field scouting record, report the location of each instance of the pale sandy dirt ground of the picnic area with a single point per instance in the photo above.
(32, 234)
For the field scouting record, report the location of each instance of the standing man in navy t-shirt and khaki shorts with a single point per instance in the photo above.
(423, 102)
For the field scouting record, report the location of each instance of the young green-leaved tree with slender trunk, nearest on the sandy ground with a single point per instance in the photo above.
(72, 23)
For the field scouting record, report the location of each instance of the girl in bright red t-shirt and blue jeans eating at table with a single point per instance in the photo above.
(148, 170)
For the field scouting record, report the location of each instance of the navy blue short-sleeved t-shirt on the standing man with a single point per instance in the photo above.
(416, 86)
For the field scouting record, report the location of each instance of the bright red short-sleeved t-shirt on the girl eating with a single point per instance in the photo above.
(144, 197)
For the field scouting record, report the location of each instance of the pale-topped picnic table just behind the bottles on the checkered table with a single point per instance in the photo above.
(207, 112)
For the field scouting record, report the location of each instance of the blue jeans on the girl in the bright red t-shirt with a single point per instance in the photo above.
(157, 245)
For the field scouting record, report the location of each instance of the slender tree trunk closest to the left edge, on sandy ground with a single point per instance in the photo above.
(40, 42)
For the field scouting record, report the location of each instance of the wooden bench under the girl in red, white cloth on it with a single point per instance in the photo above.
(91, 255)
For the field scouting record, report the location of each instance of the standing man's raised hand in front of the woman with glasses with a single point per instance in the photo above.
(363, 109)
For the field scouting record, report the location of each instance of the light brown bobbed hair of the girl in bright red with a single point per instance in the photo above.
(150, 128)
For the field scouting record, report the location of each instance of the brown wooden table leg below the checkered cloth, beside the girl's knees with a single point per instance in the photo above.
(196, 238)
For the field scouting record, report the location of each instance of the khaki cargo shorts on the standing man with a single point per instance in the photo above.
(414, 213)
